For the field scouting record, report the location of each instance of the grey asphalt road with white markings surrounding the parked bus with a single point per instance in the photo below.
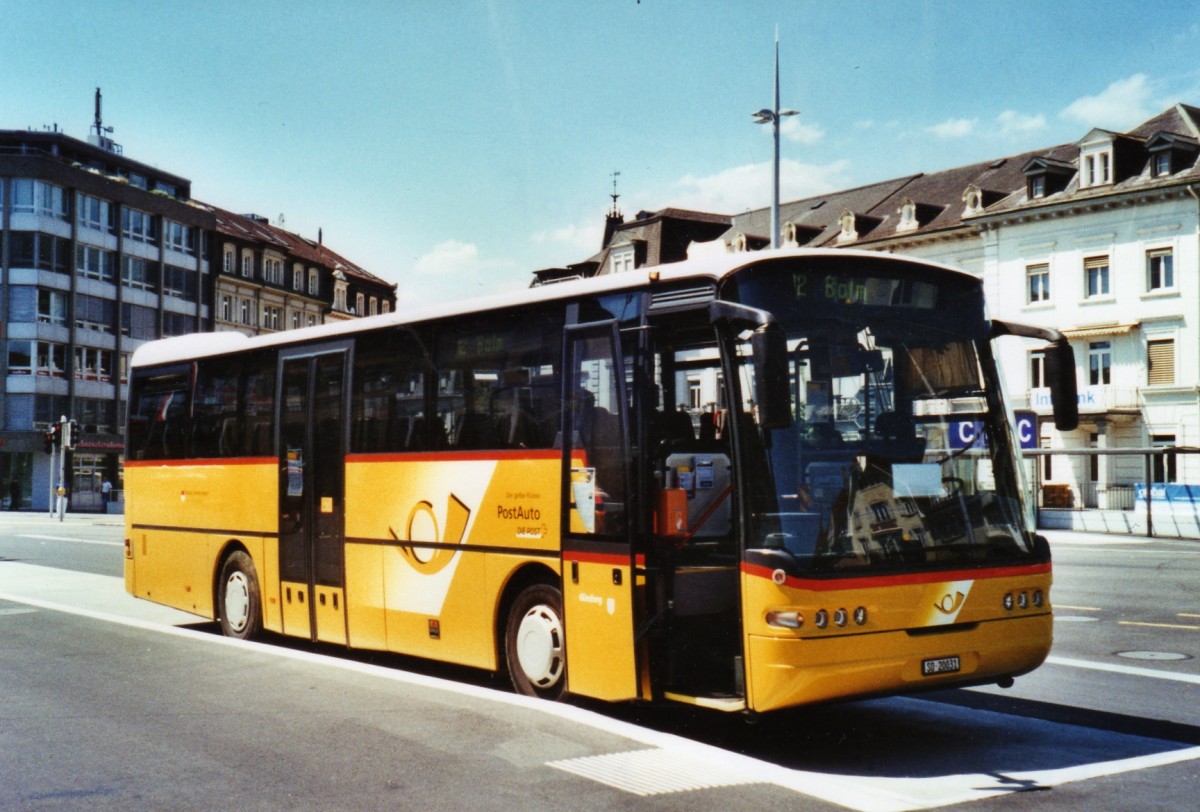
(115, 703)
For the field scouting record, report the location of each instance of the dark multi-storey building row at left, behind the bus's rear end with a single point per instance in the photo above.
(100, 254)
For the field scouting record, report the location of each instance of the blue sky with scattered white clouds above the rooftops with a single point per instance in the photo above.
(455, 147)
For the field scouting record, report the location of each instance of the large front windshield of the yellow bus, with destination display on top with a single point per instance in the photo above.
(899, 454)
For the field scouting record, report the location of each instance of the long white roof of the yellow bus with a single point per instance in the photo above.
(715, 268)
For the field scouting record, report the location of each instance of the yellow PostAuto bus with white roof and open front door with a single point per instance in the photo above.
(746, 483)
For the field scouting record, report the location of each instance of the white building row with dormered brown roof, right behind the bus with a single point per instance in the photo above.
(1099, 238)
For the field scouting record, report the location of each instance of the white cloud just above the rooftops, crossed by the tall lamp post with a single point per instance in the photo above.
(749, 187)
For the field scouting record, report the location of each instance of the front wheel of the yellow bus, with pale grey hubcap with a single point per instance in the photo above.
(535, 645)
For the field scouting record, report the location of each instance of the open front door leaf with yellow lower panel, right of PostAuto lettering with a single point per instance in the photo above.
(601, 579)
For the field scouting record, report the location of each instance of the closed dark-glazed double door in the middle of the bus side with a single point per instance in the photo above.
(313, 452)
